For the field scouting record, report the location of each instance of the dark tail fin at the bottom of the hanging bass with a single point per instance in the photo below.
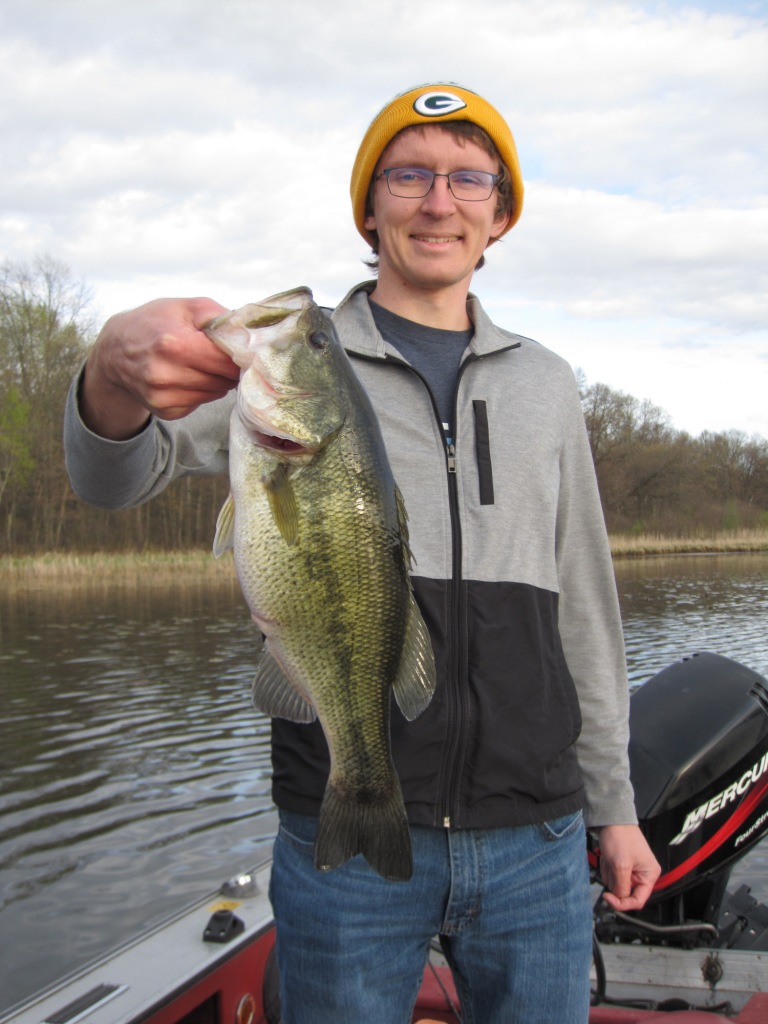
(377, 828)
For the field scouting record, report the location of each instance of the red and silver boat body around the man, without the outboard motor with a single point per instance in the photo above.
(179, 974)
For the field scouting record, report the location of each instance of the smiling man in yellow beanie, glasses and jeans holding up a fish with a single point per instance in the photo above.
(527, 736)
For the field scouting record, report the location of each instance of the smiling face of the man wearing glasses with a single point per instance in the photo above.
(436, 242)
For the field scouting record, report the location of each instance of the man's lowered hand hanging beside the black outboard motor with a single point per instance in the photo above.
(628, 868)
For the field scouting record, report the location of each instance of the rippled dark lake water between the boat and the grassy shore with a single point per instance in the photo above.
(135, 777)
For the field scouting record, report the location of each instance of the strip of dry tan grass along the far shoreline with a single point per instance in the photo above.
(199, 566)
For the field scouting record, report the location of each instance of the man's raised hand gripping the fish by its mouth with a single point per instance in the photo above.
(154, 360)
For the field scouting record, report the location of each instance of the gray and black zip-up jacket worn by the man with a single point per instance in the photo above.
(513, 572)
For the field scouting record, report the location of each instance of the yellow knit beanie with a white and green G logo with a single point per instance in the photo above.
(424, 106)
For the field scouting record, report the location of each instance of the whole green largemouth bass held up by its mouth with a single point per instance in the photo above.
(321, 548)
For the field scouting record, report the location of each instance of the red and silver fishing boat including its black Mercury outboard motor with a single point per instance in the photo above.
(698, 953)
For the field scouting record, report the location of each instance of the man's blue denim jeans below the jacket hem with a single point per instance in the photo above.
(513, 906)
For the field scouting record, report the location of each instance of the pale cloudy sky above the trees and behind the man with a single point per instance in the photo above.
(196, 148)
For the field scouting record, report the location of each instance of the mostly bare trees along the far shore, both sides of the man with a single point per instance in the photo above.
(653, 479)
